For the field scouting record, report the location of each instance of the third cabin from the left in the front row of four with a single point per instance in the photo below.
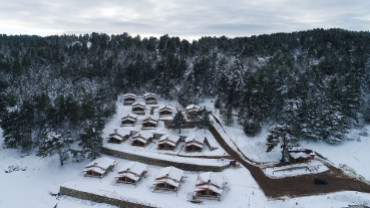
(168, 179)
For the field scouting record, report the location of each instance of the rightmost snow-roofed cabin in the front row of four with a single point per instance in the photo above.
(209, 185)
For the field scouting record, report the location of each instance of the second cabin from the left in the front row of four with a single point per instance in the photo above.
(132, 173)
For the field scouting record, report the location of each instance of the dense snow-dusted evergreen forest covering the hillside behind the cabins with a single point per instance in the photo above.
(60, 90)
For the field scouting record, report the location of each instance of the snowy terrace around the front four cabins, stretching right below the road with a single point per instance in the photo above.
(240, 191)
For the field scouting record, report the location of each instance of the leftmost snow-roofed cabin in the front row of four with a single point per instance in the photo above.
(99, 167)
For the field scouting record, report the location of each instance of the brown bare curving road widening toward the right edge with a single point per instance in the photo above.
(295, 186)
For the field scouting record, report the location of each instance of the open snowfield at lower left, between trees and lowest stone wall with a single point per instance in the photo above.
(30, 188)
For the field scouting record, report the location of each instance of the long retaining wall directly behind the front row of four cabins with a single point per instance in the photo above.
(164, 163)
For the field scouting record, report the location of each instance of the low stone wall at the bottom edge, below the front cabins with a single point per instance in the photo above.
(101, 199)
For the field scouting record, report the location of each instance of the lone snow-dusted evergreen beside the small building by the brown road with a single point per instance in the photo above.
(282, 135)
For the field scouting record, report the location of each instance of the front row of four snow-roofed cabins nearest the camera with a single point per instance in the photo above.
(208, 185)
